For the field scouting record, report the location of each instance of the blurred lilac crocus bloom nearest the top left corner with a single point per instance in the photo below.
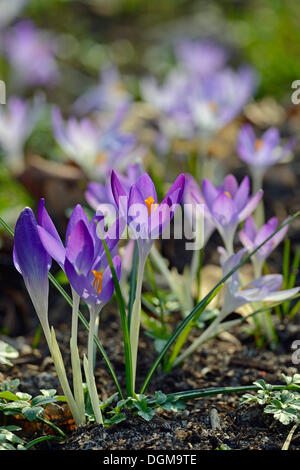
(31, 53)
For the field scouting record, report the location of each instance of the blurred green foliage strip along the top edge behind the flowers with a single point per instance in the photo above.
(266, 31)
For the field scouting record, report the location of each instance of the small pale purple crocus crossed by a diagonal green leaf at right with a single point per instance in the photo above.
(251, 238)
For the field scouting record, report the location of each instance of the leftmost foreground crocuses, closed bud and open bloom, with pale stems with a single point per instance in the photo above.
(84, 261)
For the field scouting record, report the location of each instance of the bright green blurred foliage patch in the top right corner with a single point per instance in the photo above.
(269, 35)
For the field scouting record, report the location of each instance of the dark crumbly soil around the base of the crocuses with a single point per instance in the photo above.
(221, 362)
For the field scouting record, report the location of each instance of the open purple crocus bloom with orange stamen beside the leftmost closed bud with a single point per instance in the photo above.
(83, 258)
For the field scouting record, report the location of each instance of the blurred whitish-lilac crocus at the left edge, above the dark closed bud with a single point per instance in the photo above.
(17, 121)
